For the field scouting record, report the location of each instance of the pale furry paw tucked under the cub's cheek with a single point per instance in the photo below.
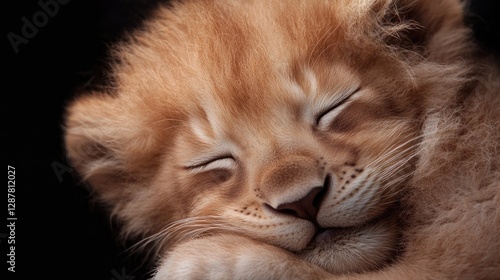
(233, 257)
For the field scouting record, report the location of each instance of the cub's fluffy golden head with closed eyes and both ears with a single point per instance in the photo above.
(296, 123)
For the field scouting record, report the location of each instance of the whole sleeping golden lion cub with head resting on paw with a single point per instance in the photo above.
(300, 139)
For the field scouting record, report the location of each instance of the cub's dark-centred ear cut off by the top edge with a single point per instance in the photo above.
(429, 27)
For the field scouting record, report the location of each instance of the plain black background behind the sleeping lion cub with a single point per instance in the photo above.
(59, 234)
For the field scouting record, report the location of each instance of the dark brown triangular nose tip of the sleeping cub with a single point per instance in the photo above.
(306, 207)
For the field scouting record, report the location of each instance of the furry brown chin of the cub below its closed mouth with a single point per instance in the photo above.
(355, 249)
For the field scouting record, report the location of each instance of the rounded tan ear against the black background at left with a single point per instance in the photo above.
(109, 143)
